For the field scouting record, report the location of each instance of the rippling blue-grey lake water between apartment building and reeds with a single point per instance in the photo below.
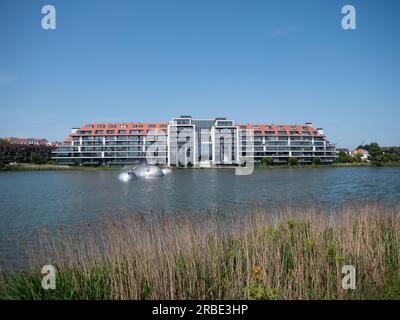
(33, 199)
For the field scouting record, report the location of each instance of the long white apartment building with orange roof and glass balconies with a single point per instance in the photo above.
(193, 142)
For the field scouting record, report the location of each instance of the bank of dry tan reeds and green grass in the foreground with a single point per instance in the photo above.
(277, 253)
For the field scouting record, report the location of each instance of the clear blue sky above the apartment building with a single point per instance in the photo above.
(261, 61)
